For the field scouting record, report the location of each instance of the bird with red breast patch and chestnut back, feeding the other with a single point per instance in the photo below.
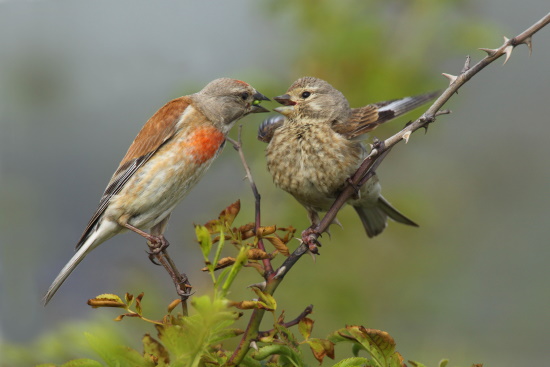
(168, 157)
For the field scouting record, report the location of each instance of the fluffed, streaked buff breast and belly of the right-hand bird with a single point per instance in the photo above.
(312, 162)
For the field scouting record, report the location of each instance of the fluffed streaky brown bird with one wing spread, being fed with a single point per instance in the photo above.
(315, 146)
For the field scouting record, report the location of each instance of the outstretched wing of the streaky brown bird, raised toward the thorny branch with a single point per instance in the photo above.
(365, 119)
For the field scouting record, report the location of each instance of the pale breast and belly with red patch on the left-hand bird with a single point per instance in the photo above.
(157, 187)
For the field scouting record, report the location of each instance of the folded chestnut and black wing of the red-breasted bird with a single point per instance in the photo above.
(157, 131)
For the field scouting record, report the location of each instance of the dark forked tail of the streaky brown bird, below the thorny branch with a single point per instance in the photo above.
(374, 217)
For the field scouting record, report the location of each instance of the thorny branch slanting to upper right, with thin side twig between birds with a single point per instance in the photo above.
(366, 170)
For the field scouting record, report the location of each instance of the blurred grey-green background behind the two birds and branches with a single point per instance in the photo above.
(78, 80)
